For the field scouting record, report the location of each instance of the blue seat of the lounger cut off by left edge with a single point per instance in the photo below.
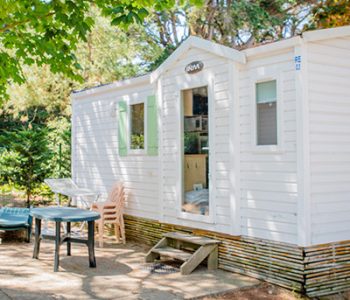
(11, 217)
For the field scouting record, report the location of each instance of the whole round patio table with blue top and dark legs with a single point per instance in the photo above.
(59, 214)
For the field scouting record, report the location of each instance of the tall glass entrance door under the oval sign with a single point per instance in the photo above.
(195, 151)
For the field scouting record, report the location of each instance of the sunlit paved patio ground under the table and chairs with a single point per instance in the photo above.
(120, 274)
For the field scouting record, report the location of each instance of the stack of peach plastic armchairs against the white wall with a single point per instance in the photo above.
(111, 212)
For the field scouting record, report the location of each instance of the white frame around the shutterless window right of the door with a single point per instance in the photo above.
(259, 78)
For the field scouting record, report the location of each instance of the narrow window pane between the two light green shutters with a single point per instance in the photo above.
(137, 126)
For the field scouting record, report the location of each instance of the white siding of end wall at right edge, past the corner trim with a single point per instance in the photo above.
(329, 104)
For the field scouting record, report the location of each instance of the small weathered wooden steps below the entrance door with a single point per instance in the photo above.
(191, 250)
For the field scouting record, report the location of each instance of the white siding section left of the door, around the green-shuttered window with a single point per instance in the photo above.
(97, 164)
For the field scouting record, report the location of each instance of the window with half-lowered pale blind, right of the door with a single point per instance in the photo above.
(266, 113)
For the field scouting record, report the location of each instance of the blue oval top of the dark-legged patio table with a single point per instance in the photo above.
(64, 214)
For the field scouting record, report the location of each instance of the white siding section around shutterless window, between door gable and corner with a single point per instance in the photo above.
(269, 178)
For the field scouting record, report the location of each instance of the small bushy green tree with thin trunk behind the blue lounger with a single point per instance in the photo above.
(24, 158)
